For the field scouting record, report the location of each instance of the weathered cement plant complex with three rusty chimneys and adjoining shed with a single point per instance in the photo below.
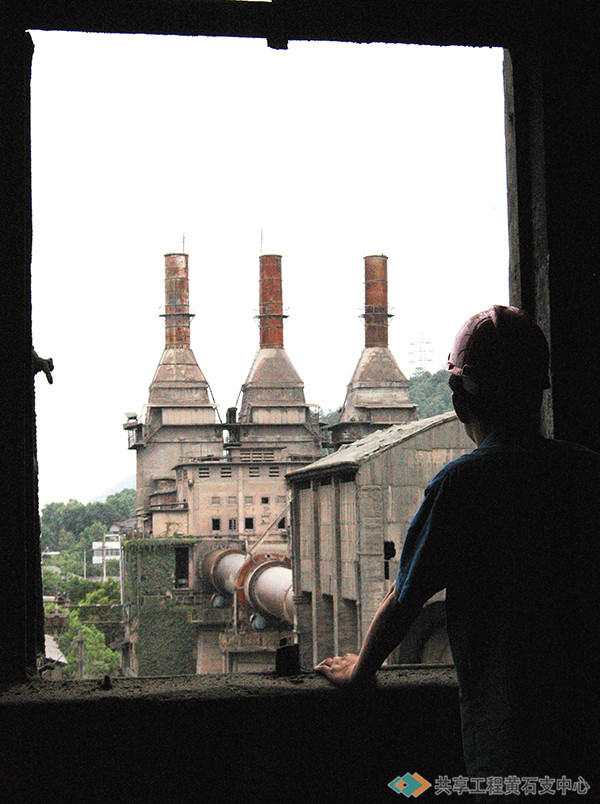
(218, 573)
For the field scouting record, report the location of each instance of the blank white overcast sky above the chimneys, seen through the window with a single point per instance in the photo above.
(334, 151)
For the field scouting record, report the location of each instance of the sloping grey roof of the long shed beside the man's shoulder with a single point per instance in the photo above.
(353, 454)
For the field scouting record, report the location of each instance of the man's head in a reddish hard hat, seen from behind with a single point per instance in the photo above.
(499, 368)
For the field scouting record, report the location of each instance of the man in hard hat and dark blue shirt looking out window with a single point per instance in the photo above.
(511, 532)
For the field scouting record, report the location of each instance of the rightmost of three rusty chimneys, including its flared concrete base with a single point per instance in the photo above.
(377, 394)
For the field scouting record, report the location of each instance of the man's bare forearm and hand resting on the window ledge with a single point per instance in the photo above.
(388, 628)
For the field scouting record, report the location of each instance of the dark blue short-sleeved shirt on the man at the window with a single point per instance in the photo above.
(511, 532)
